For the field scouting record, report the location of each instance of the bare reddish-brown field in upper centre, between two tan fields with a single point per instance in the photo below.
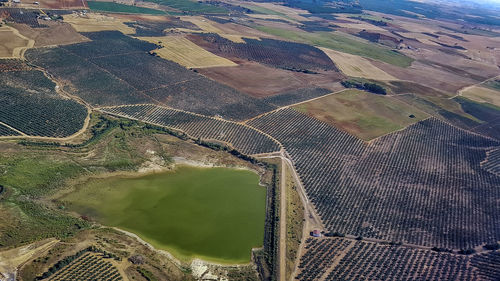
(267, 81)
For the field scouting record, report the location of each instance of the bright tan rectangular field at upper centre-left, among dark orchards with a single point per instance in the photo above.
(186, 53)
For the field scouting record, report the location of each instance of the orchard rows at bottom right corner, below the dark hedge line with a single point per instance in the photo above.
(372, 261)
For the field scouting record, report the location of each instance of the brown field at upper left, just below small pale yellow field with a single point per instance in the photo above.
(55, 34)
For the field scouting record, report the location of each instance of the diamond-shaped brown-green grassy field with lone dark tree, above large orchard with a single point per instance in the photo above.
(363, 114)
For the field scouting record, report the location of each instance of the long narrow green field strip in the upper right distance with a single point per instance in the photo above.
(342, 42)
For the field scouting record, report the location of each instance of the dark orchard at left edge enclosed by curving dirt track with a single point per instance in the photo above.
(31, 105)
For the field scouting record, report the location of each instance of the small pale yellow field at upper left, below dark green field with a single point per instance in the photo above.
(92, 22)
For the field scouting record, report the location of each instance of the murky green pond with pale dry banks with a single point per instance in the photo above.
(216, 214)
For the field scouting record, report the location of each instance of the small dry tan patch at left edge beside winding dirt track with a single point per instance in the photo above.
(12, 44)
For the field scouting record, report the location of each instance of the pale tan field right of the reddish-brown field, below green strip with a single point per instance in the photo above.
(356, 66)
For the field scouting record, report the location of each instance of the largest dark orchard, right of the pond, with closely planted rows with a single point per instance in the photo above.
(423, 185)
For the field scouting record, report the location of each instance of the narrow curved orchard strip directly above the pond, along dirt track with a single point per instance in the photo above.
(244, 139)
